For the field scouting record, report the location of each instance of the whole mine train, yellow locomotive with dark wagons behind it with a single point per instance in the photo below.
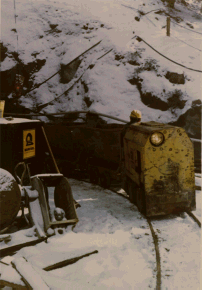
(156, 166)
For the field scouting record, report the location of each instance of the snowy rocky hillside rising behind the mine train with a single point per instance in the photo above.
(131, 74)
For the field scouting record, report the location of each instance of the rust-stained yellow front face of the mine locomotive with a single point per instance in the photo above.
(169, 173)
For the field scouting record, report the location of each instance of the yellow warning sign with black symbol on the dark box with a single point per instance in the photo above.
(28, 143)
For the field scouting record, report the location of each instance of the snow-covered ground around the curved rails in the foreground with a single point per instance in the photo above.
(126, 256)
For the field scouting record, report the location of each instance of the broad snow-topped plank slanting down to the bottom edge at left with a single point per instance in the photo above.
(31, 278)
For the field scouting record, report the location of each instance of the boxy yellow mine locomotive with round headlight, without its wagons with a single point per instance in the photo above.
(159, 168)
